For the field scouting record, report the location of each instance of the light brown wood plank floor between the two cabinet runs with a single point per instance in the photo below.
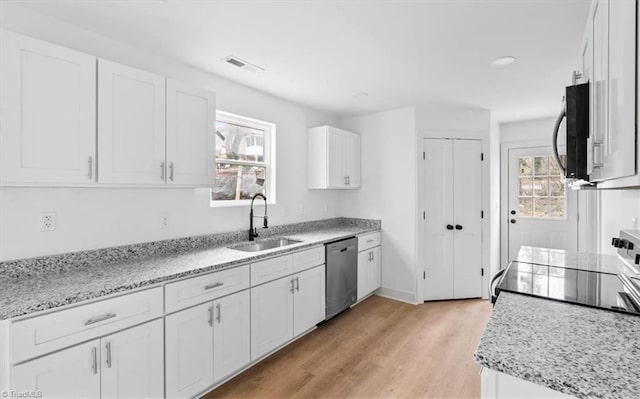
(379, 349)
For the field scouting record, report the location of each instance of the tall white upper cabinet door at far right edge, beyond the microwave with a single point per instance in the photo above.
(620, 159)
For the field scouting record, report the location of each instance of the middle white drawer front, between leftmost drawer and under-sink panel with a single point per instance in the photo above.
(196, 290)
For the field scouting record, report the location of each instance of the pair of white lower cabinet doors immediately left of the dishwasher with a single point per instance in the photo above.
(286, 308)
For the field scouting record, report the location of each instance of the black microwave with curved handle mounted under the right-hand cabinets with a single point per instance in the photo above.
(576, 113)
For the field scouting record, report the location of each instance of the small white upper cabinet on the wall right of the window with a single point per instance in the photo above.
(333, 158)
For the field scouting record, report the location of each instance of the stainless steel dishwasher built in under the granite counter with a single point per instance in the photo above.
(342, 275)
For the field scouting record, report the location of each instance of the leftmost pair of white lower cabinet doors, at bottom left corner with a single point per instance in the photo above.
(128, 364)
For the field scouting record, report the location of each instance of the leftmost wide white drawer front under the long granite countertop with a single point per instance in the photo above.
(43, 334)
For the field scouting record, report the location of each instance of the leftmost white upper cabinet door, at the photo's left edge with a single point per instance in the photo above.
(48, 112)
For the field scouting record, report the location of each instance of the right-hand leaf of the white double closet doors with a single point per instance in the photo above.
(467, 208)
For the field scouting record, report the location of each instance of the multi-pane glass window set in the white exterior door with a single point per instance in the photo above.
(541, 190)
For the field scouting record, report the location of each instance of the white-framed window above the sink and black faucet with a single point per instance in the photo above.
(245, 160)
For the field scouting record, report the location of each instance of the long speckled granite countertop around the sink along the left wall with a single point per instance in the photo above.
(25, 294)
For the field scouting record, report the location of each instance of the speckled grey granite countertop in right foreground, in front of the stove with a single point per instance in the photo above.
(577, 350)
